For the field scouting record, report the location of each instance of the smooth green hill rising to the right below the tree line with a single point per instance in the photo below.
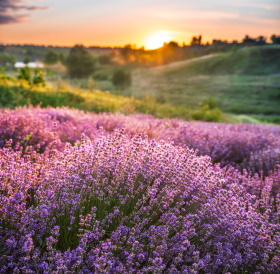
(244, 61)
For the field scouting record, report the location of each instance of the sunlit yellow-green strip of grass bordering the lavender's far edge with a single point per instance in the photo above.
(57, 93)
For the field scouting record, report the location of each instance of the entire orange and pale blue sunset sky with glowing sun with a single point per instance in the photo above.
(142, 23)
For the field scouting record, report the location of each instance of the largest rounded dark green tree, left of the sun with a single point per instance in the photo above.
(79, 62)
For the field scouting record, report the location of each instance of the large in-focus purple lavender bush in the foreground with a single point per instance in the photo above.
(118, 204)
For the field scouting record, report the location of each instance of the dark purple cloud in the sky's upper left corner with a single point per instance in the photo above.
(9, 11)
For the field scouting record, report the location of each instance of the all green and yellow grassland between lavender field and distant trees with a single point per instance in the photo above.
(244, 83)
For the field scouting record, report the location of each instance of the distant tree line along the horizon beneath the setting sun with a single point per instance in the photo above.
(169, 52)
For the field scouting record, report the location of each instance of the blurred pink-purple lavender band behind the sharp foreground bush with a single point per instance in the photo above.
(255, 148)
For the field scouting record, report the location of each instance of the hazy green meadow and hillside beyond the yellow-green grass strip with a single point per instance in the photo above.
(243, 83)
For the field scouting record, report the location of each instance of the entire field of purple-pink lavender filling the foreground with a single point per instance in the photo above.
(108, 193)
